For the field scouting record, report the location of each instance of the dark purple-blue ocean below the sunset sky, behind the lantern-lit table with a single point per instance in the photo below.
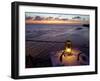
(43, 39)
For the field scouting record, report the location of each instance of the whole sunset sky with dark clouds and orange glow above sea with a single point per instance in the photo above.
(55, 18)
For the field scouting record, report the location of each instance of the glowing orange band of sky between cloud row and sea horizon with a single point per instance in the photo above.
(67, 22)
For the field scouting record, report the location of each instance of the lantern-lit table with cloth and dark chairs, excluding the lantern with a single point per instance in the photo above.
(76, 58)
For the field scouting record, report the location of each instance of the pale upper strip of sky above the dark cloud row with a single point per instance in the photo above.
(58, 15)
